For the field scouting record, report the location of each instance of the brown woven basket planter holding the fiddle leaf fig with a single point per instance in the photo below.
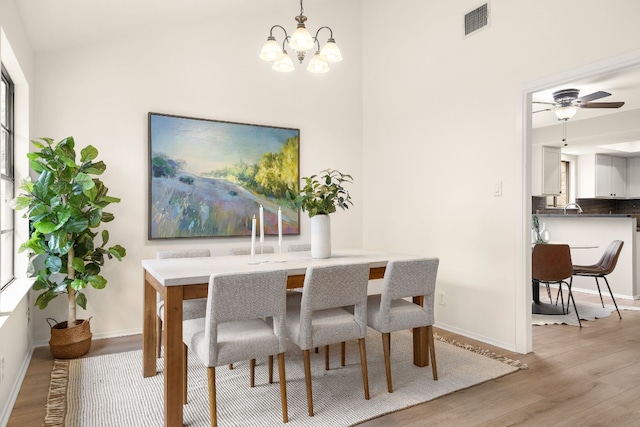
(70, 343)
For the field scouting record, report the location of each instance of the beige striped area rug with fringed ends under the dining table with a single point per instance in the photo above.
(109, 390)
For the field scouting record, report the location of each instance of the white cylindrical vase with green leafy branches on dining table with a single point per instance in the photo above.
(320, 196)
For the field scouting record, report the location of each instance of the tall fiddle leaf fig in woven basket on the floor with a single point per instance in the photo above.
(66, 206)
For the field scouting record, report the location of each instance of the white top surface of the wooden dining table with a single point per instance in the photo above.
(188, 271)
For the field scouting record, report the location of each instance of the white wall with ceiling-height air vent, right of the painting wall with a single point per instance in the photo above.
(443, 124)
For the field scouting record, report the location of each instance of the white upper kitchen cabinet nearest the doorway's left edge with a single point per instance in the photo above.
(546, 177)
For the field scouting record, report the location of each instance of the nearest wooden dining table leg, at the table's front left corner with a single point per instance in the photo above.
(173, 355)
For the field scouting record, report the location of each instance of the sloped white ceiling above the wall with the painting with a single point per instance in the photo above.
(57, 24)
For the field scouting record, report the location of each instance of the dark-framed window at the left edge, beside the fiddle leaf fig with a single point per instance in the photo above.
(6, 181)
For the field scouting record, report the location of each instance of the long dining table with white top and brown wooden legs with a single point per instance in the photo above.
(179, 279)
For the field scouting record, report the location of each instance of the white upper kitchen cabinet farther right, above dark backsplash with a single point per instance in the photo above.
(601, 175)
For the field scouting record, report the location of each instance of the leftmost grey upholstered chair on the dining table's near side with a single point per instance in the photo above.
(245, 319)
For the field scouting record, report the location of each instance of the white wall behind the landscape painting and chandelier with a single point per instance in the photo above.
(101, 94)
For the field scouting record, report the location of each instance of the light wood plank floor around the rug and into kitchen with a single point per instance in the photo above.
(585, 377)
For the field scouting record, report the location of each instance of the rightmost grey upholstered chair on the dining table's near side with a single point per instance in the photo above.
(390, 312)
